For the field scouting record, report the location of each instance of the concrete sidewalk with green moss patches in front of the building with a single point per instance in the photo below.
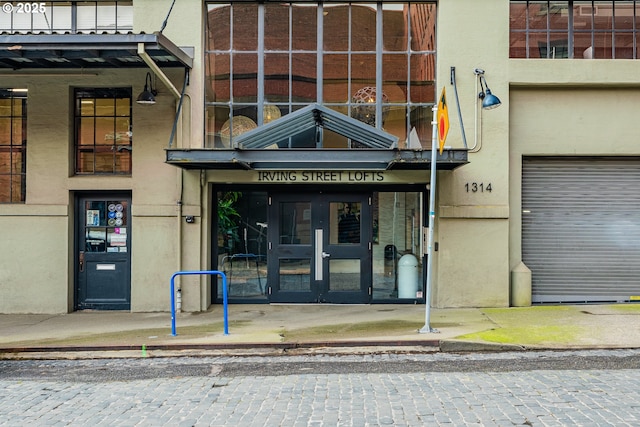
(260, 329)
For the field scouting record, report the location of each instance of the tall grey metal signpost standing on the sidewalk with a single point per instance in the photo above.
(432, 213)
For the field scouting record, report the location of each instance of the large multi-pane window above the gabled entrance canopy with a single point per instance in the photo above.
(371, 61)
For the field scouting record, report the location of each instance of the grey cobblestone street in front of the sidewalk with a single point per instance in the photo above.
(493, 395)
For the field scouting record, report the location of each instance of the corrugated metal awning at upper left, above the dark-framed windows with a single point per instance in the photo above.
(53, 51)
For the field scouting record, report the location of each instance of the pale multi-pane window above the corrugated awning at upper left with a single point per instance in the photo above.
(67, 16)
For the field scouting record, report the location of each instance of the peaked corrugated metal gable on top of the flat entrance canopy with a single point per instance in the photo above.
(308, 118)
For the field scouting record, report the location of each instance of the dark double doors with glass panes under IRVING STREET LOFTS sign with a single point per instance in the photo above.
(319, 248)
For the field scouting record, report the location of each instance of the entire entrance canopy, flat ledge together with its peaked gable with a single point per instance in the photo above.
(377, 149)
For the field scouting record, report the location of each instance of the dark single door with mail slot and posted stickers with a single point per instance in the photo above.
(103, 256)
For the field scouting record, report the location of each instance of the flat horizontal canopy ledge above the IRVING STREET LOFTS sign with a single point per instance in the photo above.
(303, 159)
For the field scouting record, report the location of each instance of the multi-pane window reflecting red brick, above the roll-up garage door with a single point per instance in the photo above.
(575, 29)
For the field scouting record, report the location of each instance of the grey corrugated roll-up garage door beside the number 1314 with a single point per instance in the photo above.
(581, 228)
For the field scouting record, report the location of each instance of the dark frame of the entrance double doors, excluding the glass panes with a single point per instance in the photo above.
(321, 250)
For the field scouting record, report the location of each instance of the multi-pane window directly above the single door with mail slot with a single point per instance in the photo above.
(103, 131)
